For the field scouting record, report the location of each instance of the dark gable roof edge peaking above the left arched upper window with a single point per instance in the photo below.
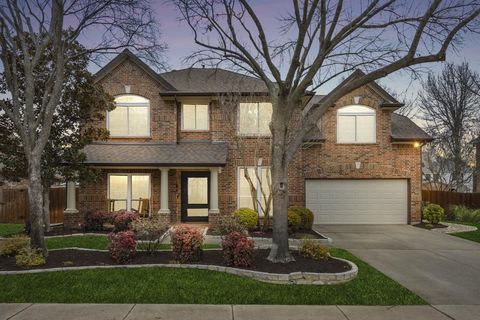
(128, 55)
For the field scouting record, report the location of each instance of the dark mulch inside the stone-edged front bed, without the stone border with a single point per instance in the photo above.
(76, 258)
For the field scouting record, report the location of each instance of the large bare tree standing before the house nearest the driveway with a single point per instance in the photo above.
(316, 42)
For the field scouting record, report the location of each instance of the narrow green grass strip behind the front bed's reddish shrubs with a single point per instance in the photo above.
(99, 242)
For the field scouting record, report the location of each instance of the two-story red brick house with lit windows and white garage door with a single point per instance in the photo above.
(170, 143)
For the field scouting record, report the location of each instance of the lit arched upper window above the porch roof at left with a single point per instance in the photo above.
(130, 118)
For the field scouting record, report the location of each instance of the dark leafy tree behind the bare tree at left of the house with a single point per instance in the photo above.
(82, 100)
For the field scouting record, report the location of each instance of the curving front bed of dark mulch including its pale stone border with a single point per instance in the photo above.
(302, 271)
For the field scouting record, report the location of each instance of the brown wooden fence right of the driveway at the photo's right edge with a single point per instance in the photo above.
(448, 199)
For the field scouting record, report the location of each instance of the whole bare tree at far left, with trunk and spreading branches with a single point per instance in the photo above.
(27, 29)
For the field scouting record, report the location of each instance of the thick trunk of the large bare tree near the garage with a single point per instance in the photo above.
(280, 251)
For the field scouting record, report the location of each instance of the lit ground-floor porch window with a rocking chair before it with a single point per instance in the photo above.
(126, 190)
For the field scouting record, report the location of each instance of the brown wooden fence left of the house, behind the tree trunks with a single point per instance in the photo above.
(14, 208)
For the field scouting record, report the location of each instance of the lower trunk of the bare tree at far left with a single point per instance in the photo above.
(35, 198)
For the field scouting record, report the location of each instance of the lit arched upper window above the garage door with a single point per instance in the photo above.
(356, 124)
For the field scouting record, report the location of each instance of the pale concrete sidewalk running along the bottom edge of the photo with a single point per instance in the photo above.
(235, 312)
